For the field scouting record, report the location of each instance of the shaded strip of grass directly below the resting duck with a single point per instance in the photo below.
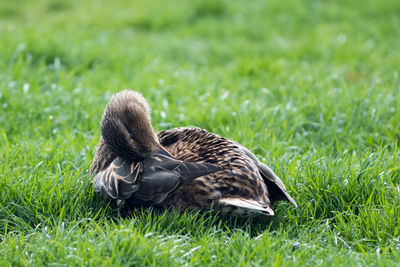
(192, 222)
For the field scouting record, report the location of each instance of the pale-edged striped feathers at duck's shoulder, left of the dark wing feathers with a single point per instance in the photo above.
(119, 180)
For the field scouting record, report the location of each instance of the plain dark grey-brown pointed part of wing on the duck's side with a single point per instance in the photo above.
(162, 175)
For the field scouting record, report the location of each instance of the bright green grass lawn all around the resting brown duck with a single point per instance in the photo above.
(311, 87)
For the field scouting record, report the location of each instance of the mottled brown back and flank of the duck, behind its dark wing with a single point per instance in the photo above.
(238, 189)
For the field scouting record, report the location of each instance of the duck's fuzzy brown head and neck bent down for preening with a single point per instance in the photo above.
(126, 127)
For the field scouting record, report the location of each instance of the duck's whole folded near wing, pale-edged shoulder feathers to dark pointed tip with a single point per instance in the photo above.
(148, 182)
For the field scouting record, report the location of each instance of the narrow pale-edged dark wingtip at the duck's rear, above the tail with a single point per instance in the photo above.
(275, 186)
